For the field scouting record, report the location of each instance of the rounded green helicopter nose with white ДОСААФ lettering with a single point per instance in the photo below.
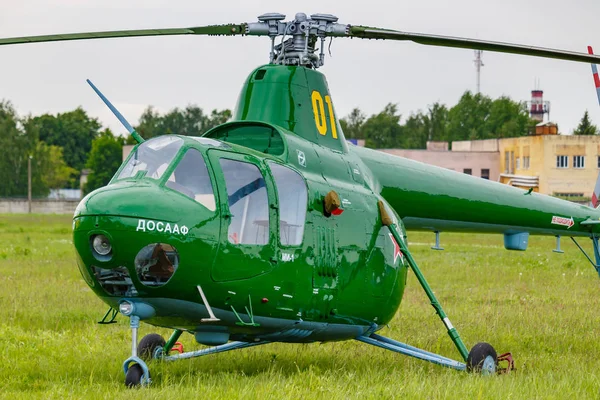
(136, 238)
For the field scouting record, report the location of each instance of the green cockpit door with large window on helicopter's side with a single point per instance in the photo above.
(248, 218)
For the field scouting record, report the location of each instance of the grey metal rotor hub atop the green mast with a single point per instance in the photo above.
(298, 37)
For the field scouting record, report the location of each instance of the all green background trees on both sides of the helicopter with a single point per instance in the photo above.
(62, 145)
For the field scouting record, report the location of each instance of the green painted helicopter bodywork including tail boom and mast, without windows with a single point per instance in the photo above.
(345, 273)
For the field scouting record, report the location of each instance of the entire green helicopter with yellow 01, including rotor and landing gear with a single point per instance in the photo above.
(234, 217)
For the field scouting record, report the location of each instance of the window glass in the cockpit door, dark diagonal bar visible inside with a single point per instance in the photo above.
(248, 203)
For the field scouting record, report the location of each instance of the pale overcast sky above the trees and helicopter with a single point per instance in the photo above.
(172, 72)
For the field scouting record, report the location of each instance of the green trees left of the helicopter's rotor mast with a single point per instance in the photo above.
(62, 145)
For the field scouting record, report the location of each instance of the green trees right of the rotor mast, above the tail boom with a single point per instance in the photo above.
(474, 117)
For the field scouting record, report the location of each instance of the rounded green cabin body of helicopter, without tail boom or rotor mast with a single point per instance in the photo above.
(265, 273)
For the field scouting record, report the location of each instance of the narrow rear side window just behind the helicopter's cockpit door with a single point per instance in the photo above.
(292, 195)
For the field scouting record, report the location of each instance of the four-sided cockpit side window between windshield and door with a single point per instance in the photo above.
(191, 179)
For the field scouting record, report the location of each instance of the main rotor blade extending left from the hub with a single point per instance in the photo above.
(229, 30)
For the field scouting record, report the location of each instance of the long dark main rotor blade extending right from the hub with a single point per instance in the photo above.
(365, 32)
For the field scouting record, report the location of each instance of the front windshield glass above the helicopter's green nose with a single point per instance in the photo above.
(152, 157)
